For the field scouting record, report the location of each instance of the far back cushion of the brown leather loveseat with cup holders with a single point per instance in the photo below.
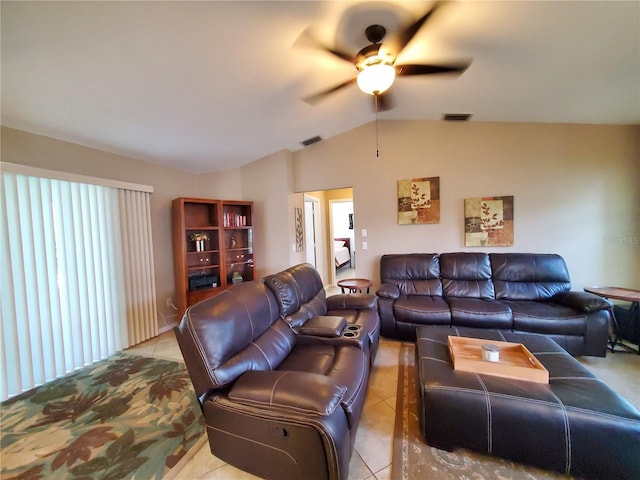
(299, 293)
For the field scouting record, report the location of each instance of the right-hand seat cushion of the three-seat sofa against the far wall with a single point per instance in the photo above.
(547, 318)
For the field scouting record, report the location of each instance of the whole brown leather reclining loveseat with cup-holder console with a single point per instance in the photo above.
(281, 391)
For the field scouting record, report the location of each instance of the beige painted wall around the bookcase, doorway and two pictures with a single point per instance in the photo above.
(576, 190)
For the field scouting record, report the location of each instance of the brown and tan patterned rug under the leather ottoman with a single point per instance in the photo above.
(414, 459)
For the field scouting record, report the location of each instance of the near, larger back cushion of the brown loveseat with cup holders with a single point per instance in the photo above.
(236, 331)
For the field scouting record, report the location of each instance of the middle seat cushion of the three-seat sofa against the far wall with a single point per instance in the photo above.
(476, 312)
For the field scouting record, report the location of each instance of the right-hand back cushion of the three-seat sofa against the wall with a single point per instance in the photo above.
(529, 276)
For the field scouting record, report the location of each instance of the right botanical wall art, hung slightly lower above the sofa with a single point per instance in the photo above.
(488, 222)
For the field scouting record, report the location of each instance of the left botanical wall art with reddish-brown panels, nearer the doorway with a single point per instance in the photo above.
(419, 200)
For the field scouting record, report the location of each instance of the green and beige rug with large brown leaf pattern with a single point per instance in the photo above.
(124, 417)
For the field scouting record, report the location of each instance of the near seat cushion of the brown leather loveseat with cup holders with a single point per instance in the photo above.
(345, 365)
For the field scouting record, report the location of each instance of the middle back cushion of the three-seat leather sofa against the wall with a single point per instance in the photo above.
(467, 275)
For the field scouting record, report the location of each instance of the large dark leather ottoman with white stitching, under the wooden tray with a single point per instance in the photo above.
(575, 425)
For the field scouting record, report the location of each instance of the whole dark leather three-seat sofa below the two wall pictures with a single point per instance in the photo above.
(521, 292)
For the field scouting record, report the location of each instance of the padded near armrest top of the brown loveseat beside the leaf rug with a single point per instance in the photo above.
(303, 392)
